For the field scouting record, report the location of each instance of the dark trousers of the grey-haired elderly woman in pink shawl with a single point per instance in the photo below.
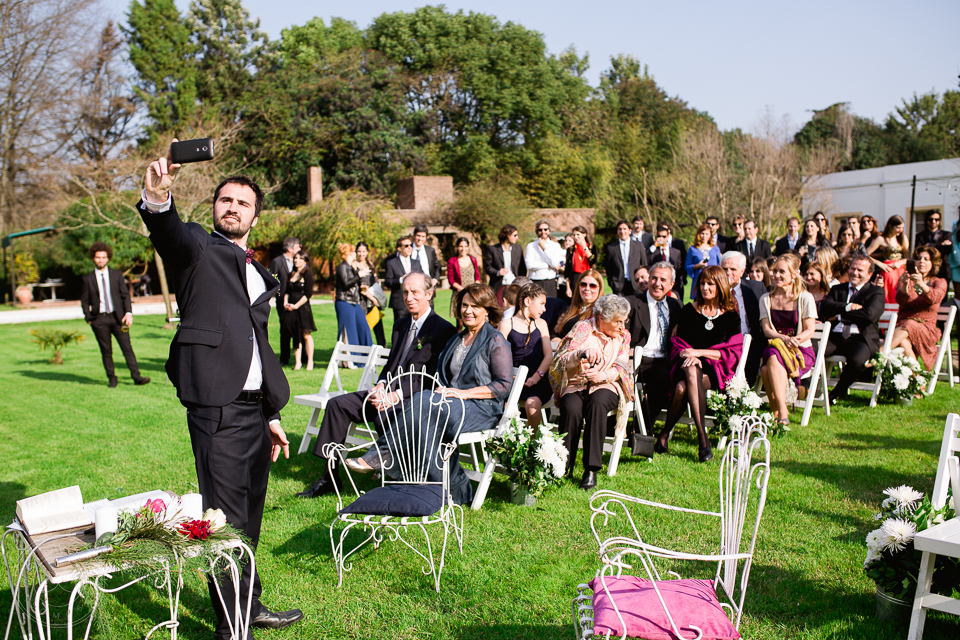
(588, 411)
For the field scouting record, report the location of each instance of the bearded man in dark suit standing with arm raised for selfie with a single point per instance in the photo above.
(222, 366)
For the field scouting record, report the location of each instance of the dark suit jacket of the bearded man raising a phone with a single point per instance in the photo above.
(211, 352)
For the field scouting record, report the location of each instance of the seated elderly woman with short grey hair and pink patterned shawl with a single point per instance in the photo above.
(591, 377)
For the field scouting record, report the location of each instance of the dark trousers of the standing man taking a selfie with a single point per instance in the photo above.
(231, 449)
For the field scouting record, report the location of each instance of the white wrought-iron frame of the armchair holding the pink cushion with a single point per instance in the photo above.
(745, 465)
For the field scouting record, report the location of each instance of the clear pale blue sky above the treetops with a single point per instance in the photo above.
(733, 60)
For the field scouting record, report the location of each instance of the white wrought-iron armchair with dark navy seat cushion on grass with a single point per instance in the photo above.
(410, 500)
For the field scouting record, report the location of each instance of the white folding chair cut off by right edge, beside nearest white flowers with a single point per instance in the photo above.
(942, 539)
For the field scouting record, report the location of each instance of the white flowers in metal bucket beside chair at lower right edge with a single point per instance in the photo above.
(892, 562)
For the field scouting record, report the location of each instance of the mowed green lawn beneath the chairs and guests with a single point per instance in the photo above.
(61, 425)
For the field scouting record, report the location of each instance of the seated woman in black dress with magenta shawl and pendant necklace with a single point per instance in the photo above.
(706, 346)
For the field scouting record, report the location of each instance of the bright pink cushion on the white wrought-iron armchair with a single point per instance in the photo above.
(690, 602)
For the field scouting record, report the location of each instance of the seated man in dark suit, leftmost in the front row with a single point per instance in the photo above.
(417, 342)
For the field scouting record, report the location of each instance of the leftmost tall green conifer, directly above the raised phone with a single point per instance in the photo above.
(162, 54)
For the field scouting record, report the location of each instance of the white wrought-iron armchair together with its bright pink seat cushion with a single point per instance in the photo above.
(618, 604)
